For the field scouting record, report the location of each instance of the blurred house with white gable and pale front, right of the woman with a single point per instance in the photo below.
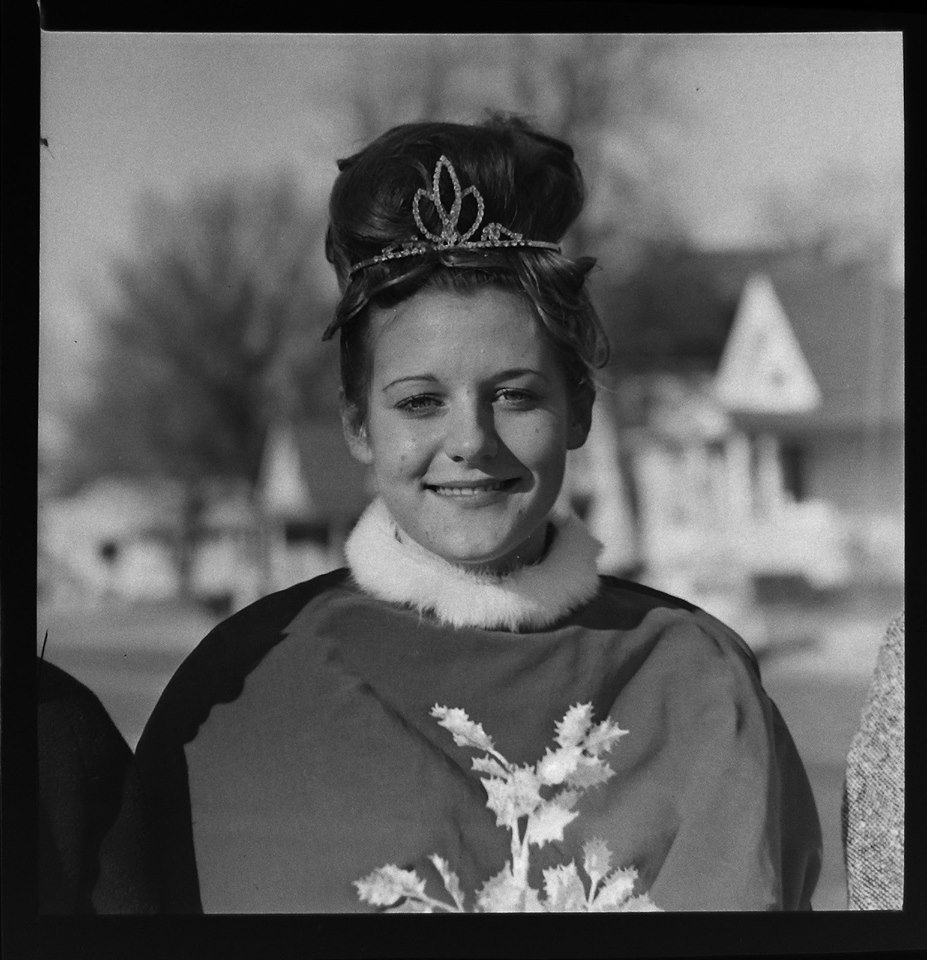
(783, 457)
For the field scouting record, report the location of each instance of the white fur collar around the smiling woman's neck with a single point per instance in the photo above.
(530, 597)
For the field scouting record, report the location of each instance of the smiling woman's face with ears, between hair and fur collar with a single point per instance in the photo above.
(468, 425)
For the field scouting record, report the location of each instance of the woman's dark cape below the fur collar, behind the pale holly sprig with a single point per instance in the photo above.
(293, 752)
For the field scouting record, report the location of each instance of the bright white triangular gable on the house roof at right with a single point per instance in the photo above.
(763, 368)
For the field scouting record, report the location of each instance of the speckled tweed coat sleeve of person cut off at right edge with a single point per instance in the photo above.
(873, 807)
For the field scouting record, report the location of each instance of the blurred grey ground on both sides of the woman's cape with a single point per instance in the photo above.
(816, 663)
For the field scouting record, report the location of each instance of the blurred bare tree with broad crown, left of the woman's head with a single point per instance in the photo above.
(211, 334)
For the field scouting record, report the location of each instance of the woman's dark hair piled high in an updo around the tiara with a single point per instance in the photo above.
(530, 184)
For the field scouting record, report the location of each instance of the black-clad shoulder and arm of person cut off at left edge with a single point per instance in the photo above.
(83, 767)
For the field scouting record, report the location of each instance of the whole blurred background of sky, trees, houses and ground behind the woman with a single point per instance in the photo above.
(746, 209)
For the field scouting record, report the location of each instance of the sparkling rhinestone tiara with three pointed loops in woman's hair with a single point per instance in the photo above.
(451, 237)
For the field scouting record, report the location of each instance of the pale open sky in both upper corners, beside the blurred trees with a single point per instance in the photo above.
(129, 113)
